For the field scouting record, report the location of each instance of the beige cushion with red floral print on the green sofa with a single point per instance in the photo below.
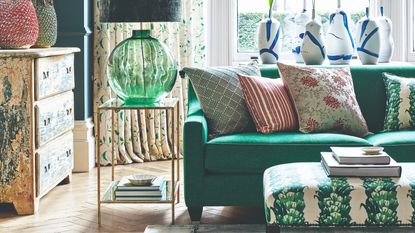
(324, 99)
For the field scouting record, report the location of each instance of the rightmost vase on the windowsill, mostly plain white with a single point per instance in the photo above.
(386, 40)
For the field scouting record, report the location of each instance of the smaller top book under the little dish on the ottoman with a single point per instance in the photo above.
(355, 155)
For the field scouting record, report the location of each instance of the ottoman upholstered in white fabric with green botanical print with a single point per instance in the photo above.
(301, 194)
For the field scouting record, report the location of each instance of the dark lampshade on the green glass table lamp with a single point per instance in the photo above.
(141, 10)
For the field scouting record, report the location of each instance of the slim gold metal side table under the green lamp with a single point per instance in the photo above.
(171, 106)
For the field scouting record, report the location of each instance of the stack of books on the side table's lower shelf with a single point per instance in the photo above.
(125, 191)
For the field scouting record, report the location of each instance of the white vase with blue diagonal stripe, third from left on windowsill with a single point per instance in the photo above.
(313, 49)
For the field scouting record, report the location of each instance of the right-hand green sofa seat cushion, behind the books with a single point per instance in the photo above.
(400, 145)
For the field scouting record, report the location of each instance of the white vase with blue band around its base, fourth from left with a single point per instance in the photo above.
(340, 43)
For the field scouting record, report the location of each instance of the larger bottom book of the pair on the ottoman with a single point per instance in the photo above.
(333, 168)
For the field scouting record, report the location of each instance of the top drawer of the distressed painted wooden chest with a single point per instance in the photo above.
(53, 75)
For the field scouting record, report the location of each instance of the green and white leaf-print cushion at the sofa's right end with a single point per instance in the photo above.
(400, 103)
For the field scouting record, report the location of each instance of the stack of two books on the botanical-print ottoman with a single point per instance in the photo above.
(353, 162)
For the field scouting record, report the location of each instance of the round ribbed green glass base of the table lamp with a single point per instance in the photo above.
(141, 69)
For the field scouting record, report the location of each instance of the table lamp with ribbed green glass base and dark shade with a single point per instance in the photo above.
(141, 69)
